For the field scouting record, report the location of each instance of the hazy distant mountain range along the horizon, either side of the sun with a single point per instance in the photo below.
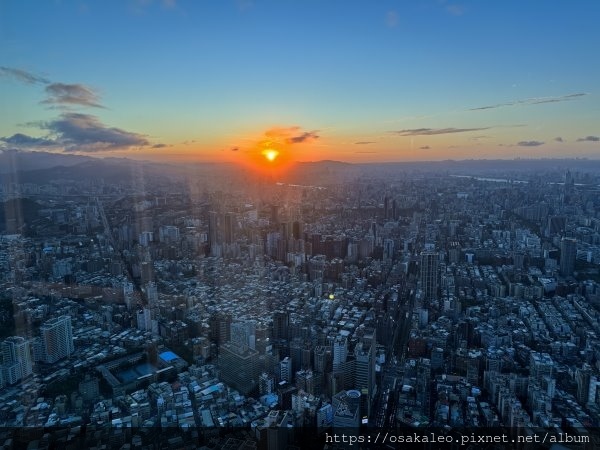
(43, 167)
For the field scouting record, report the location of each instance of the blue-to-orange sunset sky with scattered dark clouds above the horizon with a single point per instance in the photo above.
(350, 81)
